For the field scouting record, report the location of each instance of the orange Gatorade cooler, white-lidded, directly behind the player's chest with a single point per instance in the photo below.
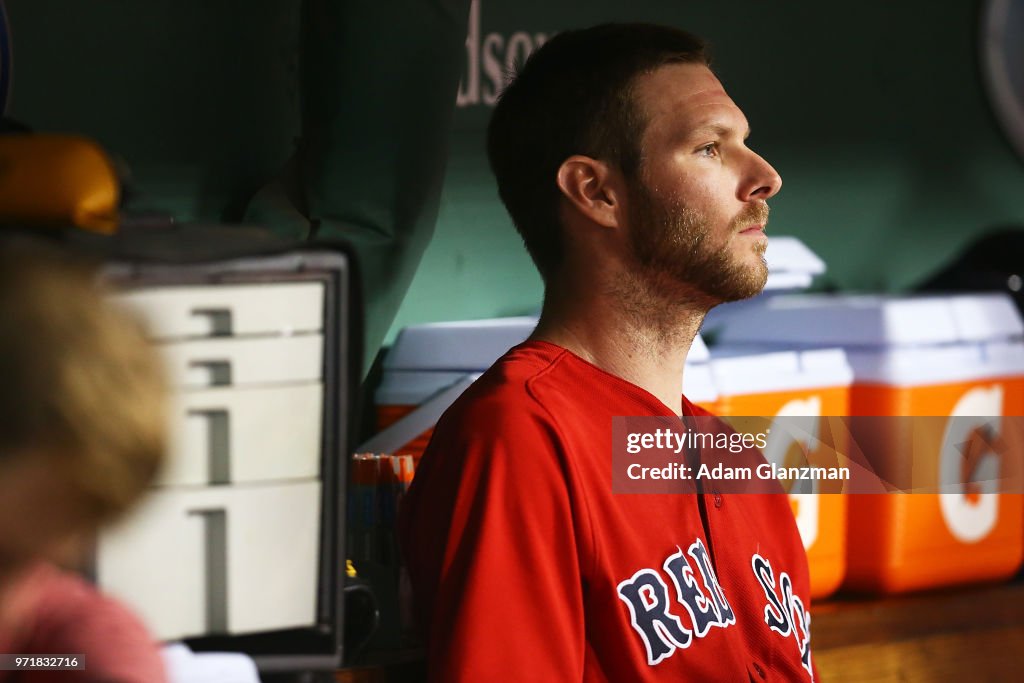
(805, 388)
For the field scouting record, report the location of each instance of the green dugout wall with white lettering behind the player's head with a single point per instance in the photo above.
(873, 112)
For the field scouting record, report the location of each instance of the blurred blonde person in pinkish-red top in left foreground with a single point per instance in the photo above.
(82, 435)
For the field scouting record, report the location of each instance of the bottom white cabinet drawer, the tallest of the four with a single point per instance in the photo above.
(219, 560)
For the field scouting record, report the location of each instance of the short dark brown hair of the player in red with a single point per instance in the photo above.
(575, 96)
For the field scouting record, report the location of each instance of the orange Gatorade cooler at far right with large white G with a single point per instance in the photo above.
(958, 356)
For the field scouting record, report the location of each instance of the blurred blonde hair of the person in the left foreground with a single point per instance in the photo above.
(78, 379)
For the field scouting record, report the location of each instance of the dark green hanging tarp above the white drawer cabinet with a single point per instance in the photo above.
(321, 119)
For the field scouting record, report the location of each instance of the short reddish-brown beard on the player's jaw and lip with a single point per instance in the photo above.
(674, 248)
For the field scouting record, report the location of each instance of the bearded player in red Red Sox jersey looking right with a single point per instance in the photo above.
(625, 167)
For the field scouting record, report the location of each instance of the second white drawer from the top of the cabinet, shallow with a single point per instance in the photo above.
(208, 363)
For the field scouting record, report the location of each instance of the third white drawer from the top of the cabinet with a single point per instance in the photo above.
(233, 436)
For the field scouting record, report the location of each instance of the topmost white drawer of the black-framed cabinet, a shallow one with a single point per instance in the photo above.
(184, 312)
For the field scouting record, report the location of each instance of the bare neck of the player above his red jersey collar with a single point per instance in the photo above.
(625, 331)
